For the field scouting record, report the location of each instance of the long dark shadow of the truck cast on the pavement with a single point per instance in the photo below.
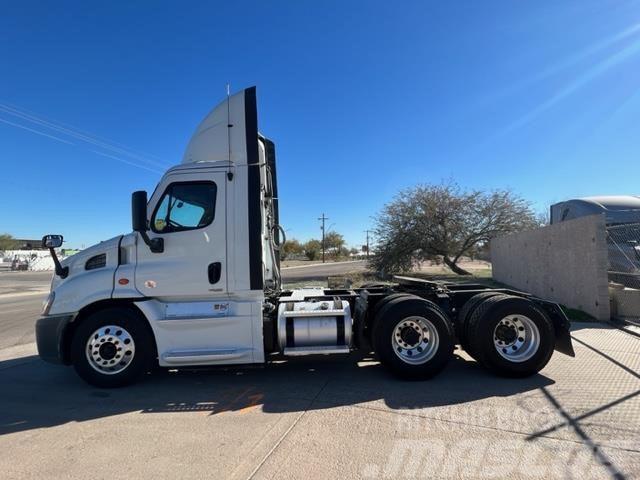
(37, 395)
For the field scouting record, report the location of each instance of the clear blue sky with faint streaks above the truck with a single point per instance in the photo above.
(362, 98)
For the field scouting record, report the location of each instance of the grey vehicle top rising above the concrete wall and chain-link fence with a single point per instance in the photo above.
(618, 209)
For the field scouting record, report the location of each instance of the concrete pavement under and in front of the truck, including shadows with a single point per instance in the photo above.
(327, 417)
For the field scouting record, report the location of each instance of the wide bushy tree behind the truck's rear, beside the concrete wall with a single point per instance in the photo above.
(444, 221)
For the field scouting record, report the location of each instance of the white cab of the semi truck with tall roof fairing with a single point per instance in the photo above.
(201, 261)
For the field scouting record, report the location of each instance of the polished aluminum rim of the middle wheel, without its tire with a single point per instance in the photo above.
(415, 340)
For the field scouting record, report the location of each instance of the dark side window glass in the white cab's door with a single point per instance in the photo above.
(185, 206)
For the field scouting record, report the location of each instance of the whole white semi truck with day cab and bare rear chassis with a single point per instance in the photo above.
(197, 283)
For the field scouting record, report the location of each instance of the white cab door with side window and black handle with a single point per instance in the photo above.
(188, 212)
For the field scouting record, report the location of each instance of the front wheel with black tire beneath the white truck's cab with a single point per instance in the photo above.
(112, 348)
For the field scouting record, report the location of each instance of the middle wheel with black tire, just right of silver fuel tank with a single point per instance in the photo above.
(413, 338)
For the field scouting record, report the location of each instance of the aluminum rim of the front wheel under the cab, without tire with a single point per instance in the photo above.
(110, 349)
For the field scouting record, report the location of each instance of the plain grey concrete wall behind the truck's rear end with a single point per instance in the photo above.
(565, 262)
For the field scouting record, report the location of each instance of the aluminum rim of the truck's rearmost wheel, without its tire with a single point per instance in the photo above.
(516, 338)
